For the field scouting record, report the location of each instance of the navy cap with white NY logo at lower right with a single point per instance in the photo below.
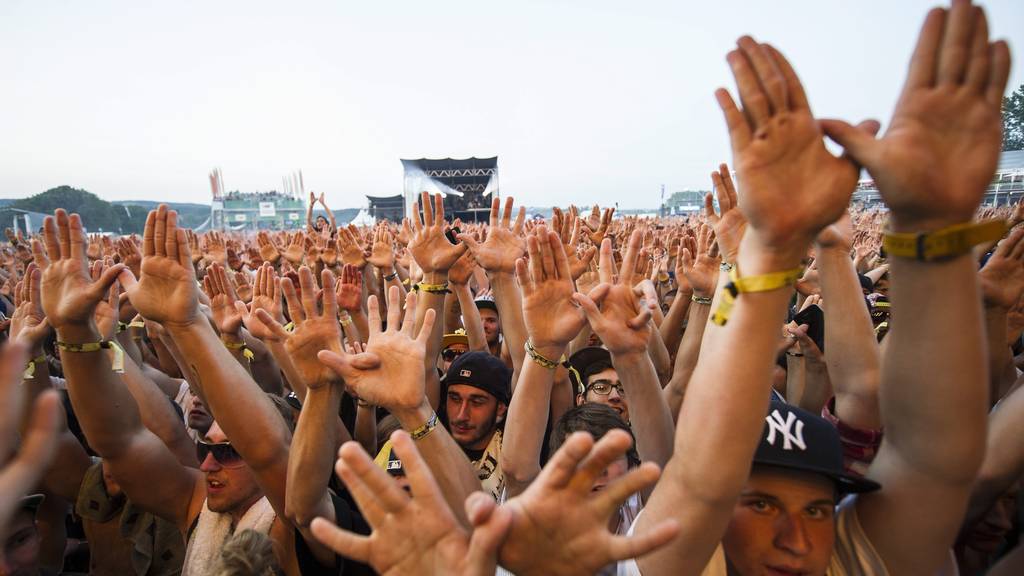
(796, 439)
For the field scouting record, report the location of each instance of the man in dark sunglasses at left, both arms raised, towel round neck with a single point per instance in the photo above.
(244, 464)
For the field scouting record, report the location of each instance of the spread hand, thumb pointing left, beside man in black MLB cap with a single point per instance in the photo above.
(390, 374)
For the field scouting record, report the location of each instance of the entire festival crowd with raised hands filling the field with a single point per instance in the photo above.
(782, 385)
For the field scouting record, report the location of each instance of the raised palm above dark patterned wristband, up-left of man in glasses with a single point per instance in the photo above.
(551, 317)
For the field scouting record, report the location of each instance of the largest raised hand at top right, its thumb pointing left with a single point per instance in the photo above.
(941, 151)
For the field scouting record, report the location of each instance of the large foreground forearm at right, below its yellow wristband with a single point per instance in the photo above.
(930, 379)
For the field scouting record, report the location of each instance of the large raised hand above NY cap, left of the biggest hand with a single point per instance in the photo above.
(793, 186)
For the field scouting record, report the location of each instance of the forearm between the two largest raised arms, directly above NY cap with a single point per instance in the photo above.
(855, 367)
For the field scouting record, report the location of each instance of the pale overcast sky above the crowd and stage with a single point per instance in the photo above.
(582, 101)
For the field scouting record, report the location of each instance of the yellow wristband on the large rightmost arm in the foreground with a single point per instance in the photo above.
(944, 244)
